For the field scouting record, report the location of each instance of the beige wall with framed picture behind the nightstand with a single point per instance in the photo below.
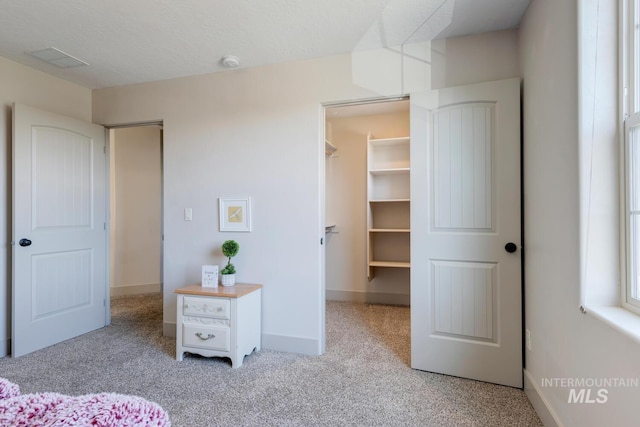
(258, 133)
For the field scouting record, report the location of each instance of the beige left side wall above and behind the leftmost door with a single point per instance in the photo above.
(26, 86)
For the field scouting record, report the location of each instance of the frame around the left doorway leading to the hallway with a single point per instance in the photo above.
(108, 132)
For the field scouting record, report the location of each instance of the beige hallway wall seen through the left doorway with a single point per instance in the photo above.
(136, 210)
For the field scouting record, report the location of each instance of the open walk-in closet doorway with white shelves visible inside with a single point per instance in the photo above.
(367, 249)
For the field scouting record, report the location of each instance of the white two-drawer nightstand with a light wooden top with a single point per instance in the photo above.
(223, 321)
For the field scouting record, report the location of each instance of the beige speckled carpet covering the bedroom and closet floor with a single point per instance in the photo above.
(363, 379)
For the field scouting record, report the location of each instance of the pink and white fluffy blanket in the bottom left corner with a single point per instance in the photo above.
(53, 409)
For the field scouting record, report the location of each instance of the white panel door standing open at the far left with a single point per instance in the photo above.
(59, 236)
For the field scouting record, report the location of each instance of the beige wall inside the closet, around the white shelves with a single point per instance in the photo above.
(346, 203)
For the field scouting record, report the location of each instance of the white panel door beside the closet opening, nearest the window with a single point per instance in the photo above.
(465, 232)
